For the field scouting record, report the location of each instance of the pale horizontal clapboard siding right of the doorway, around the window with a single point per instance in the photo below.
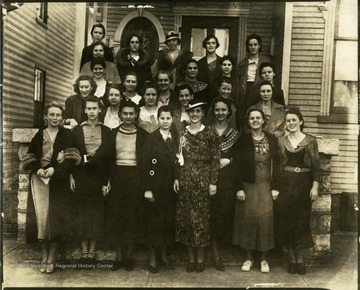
(305, 93)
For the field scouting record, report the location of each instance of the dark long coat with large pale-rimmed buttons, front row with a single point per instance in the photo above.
(158, 176)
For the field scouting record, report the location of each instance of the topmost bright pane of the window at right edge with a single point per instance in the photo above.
(348, 18)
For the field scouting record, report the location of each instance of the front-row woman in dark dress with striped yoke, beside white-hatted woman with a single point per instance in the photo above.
(223, 202)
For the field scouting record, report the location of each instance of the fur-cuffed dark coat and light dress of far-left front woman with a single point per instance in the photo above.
(49, 204)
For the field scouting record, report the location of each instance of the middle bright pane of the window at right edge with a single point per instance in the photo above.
(346, 61)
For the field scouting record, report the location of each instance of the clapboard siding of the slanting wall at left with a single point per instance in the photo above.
(28, 43)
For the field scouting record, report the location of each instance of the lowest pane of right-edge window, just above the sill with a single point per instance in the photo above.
(345, 95)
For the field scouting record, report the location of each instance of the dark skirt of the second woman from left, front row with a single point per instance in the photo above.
(90, 204)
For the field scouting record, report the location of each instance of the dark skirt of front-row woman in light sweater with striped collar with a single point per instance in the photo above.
(125, 225)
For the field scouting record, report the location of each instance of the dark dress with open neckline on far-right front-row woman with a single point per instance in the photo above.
(293, 208)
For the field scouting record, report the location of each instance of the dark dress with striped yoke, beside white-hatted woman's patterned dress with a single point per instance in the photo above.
(222, 204)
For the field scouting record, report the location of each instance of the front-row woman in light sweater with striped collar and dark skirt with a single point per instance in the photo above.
(126, 199)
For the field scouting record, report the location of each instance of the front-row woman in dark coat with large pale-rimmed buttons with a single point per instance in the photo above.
(159, 165)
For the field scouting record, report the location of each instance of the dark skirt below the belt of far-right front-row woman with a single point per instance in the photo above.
(293, 211)
